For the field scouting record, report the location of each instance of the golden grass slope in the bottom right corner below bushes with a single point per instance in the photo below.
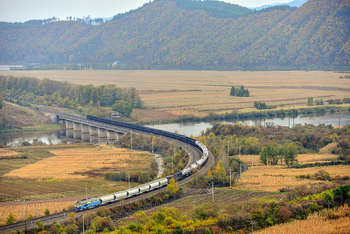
(314, 224)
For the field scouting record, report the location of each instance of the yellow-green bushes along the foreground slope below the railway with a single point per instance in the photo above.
(209, 217)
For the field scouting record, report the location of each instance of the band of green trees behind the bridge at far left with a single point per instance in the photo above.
(28, 91)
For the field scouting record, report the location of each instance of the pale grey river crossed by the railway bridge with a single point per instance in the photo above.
(188, 128)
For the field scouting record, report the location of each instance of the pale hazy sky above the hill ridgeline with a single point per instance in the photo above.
(22, 10)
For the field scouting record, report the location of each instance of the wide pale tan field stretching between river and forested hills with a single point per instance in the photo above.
(202, 92)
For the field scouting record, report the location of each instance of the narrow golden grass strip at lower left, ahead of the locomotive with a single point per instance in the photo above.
(36, 209)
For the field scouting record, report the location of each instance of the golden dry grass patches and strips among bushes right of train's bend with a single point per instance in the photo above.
(273, 178)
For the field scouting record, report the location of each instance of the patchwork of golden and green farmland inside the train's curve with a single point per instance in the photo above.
(54, 177)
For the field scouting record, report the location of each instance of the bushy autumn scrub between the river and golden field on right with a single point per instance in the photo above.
(250, 140)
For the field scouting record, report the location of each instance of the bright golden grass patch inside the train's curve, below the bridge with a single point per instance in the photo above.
(72, 163)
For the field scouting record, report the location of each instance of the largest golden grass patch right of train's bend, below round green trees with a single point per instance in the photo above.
(273, 178)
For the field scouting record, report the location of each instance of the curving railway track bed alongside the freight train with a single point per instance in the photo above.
(194, 153)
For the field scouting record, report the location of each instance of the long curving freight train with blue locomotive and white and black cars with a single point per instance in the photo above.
(150, 186)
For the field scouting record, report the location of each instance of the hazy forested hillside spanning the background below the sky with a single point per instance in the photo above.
(185, 33)
